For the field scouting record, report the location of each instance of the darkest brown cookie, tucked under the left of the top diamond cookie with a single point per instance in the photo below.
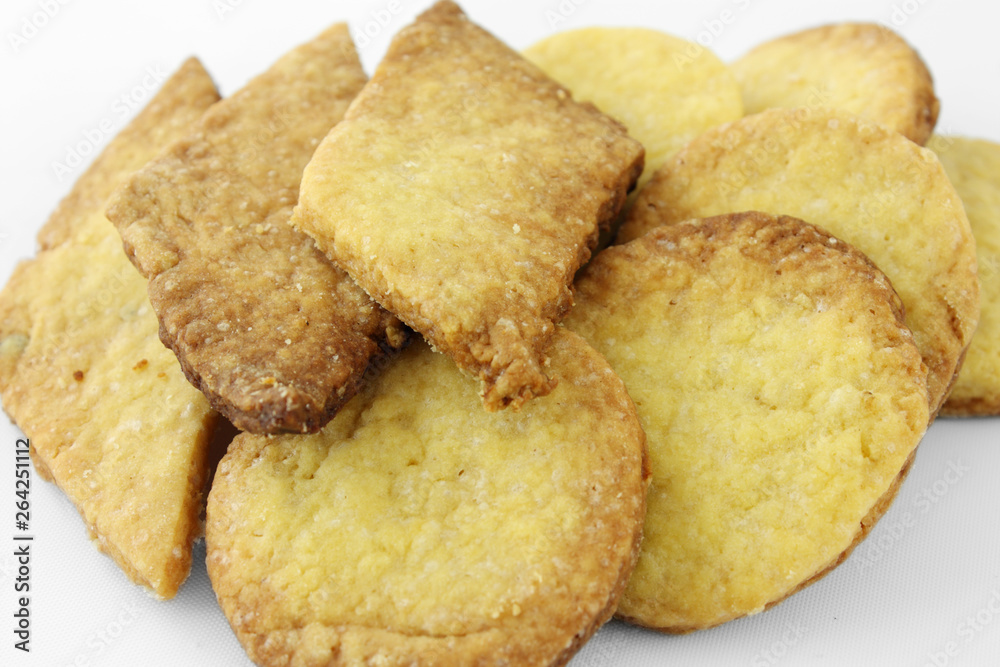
(274, 335)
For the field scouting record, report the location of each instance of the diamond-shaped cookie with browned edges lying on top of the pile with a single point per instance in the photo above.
(462, 191)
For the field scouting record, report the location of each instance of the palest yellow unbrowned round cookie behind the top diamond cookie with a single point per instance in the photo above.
(665, 90)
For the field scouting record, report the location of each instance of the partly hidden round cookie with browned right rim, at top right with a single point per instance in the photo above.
(863, 68)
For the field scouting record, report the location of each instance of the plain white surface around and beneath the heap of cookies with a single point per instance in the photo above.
(926, 582)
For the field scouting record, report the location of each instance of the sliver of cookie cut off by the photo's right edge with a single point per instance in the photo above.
(973, 165)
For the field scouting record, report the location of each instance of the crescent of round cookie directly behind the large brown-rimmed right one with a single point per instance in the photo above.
(868, 186)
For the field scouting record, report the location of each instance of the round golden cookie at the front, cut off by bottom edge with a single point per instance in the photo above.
(418, 528)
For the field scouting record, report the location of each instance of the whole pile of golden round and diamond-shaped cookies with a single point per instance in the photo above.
(470, 433)
